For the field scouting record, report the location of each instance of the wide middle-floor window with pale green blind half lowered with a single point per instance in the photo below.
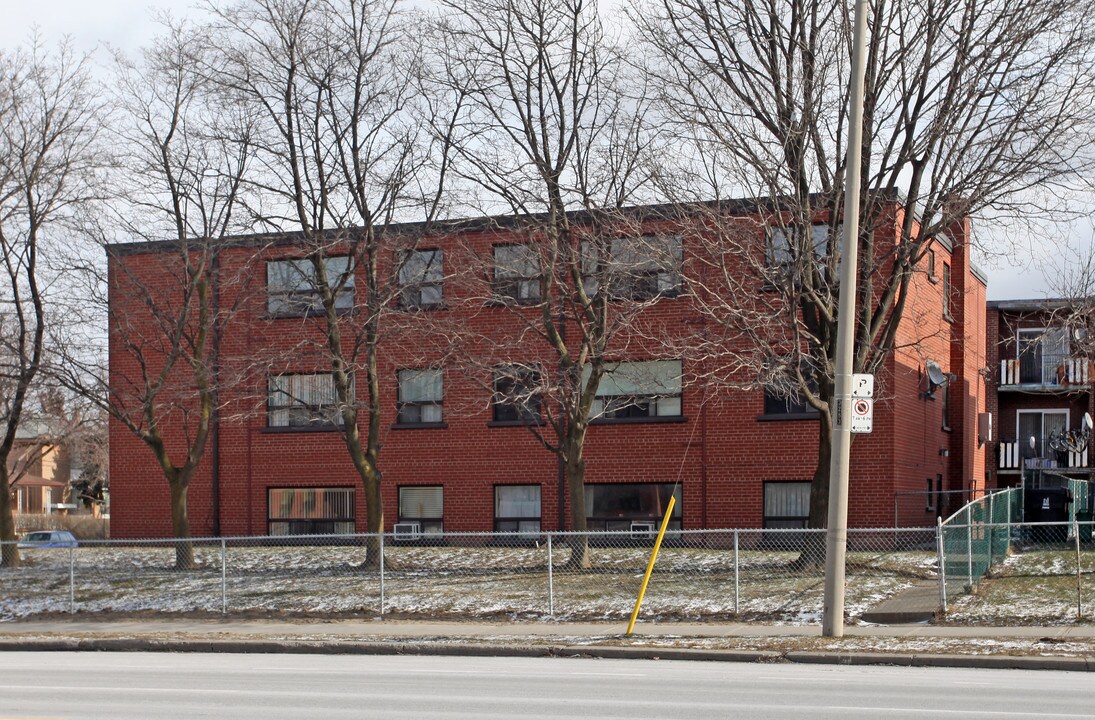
(639, 391)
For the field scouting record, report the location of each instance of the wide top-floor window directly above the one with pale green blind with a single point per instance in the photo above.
(641, 268)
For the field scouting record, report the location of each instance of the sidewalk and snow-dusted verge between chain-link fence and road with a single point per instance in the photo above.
(1043, 648)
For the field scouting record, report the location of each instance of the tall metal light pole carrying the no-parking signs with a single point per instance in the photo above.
(833, 621)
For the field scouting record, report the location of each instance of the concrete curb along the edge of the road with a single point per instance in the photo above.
(487, 651)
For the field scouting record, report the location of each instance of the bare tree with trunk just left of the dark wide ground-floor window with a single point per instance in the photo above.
(549, 126)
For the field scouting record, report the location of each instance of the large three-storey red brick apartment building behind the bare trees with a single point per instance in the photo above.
(453, 462)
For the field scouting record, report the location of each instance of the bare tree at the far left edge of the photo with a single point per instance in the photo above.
(49, 126)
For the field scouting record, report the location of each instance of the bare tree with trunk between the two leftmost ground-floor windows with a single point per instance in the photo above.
(342, 159)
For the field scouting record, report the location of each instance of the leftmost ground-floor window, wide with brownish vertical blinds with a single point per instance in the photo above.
(310, 512)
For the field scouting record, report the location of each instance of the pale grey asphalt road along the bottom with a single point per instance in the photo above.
(154, 687)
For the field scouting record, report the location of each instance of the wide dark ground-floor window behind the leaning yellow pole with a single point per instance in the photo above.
(637, 507)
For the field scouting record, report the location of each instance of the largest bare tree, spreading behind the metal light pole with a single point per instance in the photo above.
(972, 109)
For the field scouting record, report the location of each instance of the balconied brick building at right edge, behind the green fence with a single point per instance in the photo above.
(1041, 370)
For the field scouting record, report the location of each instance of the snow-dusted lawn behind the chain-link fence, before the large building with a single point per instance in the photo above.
(475, 583)
